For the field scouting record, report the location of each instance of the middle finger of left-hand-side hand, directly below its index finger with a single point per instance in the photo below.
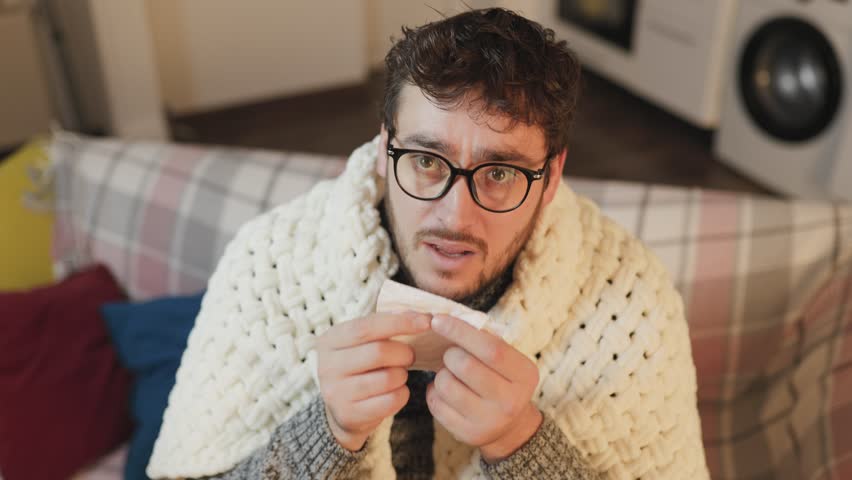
(370, 356)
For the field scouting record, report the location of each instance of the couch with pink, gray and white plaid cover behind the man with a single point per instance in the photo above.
(767, 283)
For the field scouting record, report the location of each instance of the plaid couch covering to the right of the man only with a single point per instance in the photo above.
(767, 286)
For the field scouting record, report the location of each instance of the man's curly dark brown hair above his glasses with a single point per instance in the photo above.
(502, 62)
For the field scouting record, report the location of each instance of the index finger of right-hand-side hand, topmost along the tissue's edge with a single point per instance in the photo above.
(492, 351)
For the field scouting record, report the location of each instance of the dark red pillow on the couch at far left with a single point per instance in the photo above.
(63, 394)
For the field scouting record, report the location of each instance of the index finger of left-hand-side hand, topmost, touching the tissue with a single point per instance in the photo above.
(374, 327)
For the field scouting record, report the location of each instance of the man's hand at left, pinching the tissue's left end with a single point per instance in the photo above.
(362, 373)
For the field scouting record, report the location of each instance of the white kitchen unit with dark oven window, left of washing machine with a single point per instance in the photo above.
(669, 51)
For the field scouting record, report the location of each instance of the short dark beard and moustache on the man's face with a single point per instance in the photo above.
(489, 286)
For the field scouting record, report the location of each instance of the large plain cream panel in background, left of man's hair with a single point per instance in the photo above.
(216, 53)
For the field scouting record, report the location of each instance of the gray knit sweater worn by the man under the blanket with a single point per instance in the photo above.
(303, 447)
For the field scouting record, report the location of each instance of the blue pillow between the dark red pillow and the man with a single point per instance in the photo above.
(150, 338)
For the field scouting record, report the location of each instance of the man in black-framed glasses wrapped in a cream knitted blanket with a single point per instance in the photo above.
(289, 373)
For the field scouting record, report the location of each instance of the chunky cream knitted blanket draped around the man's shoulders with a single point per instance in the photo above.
(589, 304)
